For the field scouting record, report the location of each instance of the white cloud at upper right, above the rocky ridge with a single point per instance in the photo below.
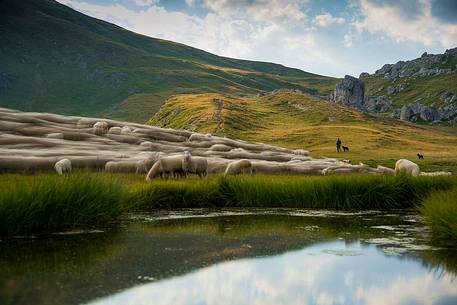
(423, 28)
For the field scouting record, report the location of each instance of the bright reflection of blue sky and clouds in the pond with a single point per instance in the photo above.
(324, 274)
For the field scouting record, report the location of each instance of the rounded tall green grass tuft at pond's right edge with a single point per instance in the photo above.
(440, 213)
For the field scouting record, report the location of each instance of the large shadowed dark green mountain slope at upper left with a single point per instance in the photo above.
(53, 58)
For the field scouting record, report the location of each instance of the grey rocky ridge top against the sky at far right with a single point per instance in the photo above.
(426, 65)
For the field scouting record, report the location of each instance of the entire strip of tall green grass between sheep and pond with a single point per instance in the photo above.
(47, 202)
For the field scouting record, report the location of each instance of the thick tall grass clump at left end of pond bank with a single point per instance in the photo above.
(49, 202)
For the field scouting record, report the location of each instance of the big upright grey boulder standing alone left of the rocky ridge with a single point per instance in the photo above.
(350, 92)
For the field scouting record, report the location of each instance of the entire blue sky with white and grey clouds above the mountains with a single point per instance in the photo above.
(330, 37)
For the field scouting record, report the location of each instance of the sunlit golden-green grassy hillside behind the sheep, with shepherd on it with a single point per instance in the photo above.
(297, 120)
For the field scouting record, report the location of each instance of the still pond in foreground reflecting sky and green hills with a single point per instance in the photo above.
(277, 256)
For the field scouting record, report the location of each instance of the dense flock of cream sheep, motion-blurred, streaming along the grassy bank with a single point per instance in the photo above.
(32, 142)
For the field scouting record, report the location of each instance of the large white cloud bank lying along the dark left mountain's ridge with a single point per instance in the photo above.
(276, 31)
